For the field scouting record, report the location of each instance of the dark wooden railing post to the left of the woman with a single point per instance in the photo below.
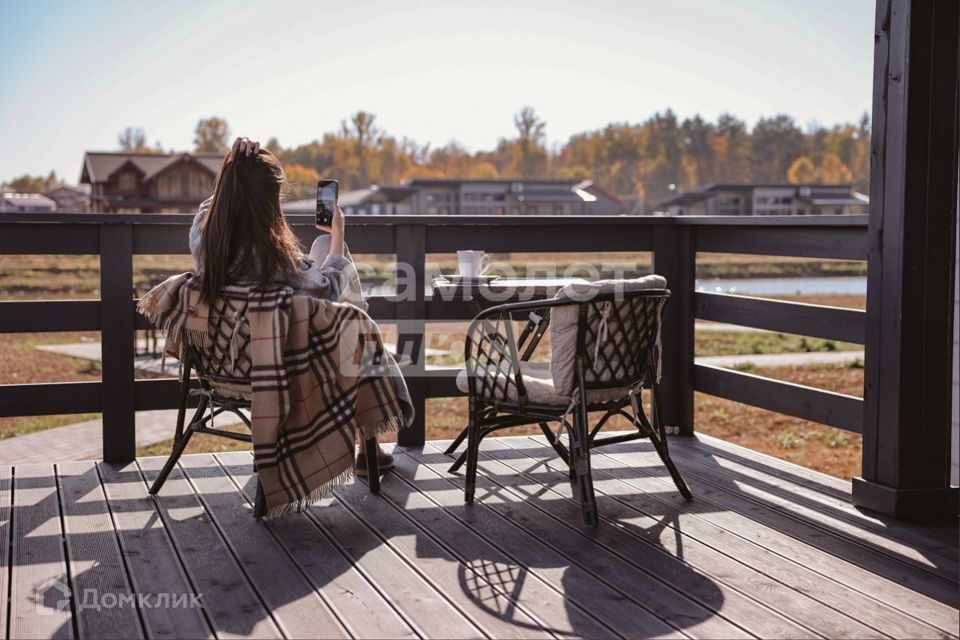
(116, 337)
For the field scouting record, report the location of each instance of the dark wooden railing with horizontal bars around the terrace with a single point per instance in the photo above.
(674, 243)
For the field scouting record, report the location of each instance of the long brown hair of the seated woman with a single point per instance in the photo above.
(245, 236)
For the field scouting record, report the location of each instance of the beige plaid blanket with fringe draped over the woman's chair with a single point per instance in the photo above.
(319, 374)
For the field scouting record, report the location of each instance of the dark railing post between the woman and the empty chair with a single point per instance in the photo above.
(411, 325)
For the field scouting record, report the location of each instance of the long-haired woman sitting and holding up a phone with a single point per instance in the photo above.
(240, 235)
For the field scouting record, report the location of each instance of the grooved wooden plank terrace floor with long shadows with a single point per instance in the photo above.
(766, 549)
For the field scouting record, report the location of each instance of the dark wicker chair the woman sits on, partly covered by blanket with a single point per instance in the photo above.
(224, 386)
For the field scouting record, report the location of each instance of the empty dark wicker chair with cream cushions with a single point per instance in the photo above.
(616, 355)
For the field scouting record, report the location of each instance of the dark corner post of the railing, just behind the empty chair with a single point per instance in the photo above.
(674, 259)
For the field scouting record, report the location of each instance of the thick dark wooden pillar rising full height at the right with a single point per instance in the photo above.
(913, 195)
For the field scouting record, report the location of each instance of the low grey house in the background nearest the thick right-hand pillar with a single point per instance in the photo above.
(767, 199)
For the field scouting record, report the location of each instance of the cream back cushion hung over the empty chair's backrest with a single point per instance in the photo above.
(563, 323)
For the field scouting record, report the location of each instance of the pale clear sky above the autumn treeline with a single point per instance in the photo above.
(74, 74)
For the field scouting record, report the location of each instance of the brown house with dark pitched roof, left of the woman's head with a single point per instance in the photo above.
(148, 183)
